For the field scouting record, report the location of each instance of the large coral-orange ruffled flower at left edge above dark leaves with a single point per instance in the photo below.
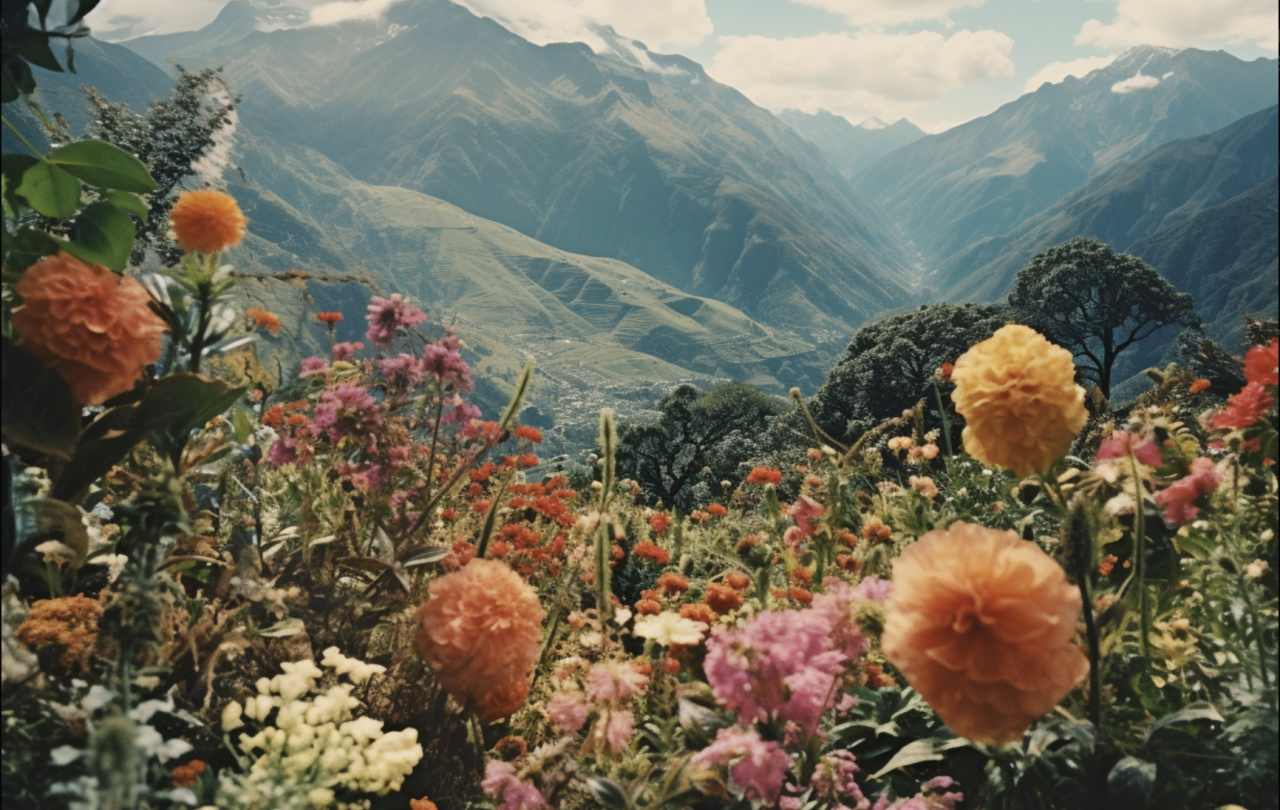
(90, 326)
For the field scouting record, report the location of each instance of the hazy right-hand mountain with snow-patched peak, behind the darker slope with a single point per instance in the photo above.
(984, 179)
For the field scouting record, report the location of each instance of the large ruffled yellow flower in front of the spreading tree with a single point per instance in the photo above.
(1018, 395)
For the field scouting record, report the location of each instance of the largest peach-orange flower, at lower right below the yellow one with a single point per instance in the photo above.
(981, 623)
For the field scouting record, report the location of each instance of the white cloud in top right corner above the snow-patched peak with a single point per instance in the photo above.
(1181, 24)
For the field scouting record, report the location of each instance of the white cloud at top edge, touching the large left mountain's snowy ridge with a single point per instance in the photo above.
(653, 22)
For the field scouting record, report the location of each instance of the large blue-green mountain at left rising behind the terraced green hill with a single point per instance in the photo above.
(625, 154)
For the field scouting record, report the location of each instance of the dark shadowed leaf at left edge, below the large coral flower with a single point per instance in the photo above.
(38, 409)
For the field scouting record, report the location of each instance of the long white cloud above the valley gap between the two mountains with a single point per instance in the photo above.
(861, 75)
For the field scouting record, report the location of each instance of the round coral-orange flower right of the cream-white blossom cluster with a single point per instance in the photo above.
(481, 631)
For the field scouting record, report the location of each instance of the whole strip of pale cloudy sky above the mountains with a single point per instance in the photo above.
(935, 62)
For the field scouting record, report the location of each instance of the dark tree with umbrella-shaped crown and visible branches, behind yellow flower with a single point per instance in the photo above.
(1098, 304)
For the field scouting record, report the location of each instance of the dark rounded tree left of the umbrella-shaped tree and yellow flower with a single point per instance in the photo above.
(890, 364)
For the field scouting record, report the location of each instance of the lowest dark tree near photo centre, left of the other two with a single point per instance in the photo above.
(698, 440)
